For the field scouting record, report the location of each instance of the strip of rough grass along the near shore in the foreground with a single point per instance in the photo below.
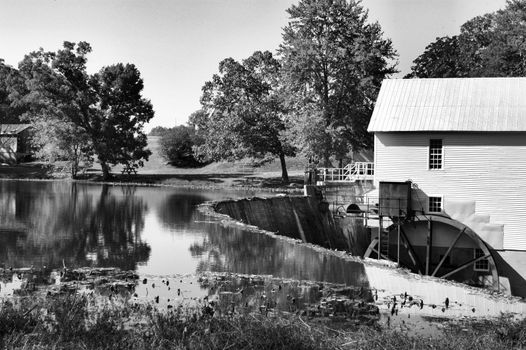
(75, 322)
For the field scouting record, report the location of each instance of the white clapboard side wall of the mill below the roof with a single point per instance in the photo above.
(488, 168)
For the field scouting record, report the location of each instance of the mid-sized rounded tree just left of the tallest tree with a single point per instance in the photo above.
(242, 112)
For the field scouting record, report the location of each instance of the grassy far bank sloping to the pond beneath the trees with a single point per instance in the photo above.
(156, 171)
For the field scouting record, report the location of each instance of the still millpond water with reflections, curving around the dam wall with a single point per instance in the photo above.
(178, 252)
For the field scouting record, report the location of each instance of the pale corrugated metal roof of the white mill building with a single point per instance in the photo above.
(450, 104)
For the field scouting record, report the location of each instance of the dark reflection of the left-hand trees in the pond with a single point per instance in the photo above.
(51, 223)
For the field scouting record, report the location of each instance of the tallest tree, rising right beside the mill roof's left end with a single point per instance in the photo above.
(334, 61)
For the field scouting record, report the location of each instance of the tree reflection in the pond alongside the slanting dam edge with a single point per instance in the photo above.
(233, 249)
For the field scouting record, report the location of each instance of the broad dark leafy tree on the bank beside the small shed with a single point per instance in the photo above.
(104, 112)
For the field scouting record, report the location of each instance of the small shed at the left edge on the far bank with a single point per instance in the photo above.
(15, 142)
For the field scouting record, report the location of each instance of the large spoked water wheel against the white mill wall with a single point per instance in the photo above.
(420, 246)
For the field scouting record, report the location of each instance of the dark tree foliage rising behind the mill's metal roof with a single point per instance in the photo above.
(490, 45)
